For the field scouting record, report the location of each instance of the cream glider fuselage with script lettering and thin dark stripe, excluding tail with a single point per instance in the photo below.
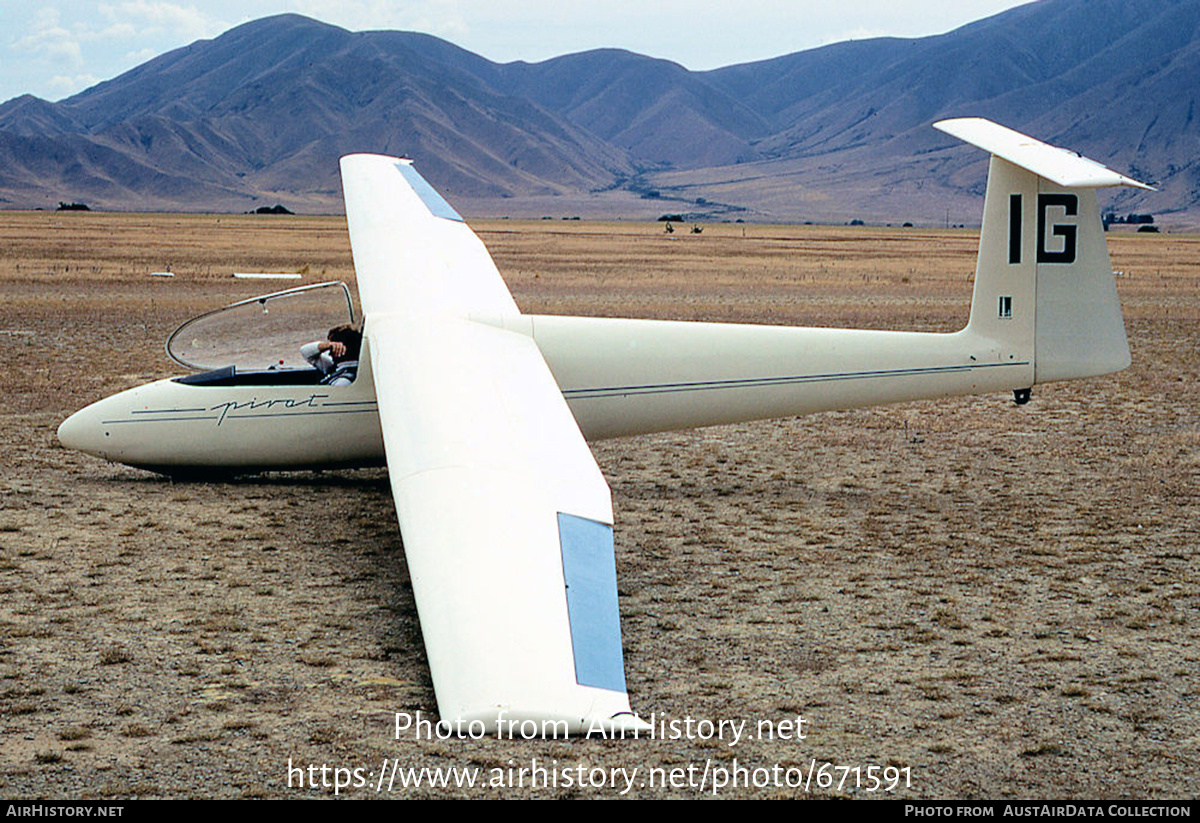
(621, 377)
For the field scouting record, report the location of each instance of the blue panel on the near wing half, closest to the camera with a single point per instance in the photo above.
(590, 568)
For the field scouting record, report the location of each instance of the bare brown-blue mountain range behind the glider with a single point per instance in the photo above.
(261, 115)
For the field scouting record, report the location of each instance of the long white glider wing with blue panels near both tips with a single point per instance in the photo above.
(506, 518)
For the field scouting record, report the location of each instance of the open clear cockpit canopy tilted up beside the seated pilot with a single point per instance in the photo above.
(263, 333)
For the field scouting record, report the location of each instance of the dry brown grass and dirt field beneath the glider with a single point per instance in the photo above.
(1003, 600)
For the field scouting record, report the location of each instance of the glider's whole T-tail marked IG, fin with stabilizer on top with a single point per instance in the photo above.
(1045, 287)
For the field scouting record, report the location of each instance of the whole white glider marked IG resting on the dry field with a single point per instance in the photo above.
(482, 412)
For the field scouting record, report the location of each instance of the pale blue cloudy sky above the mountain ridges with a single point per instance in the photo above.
(56, 49)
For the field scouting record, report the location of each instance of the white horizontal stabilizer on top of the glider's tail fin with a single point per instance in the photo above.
(1061, 166)
